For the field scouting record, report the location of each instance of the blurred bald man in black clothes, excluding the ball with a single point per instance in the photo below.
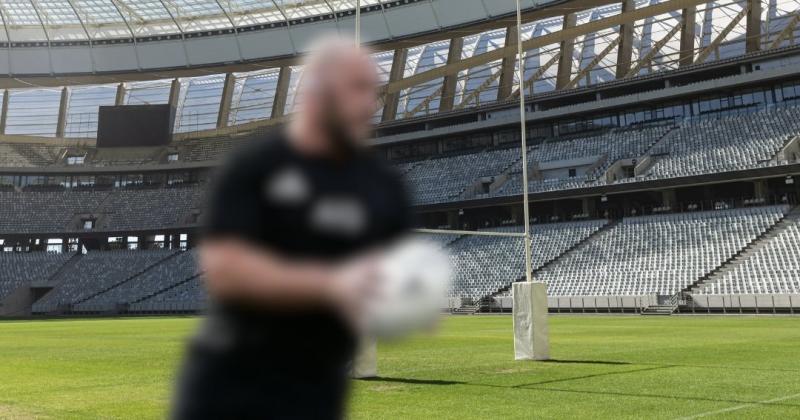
(293, 221)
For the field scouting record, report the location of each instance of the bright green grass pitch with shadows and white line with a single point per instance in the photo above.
(604, 367)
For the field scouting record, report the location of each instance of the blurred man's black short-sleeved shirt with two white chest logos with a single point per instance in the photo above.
(299, 207)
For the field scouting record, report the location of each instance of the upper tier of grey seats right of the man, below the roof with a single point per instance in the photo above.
(695, 146)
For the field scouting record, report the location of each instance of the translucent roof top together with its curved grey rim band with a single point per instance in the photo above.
(89, 37)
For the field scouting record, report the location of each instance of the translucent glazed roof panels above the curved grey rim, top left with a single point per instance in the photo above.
(84, 20)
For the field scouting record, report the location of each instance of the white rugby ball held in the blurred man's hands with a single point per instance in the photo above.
(414, 277)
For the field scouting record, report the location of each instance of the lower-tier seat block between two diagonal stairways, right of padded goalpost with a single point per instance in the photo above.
(661, 254)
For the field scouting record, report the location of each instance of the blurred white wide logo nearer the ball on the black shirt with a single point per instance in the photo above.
(339, 215)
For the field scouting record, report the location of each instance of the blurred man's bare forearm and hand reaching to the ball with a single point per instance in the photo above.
(238, 271)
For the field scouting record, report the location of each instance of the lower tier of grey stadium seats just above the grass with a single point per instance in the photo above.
(661, 255)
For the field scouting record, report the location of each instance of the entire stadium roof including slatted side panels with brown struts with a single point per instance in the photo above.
(433, 55)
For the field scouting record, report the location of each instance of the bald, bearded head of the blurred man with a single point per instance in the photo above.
(337, 93)
